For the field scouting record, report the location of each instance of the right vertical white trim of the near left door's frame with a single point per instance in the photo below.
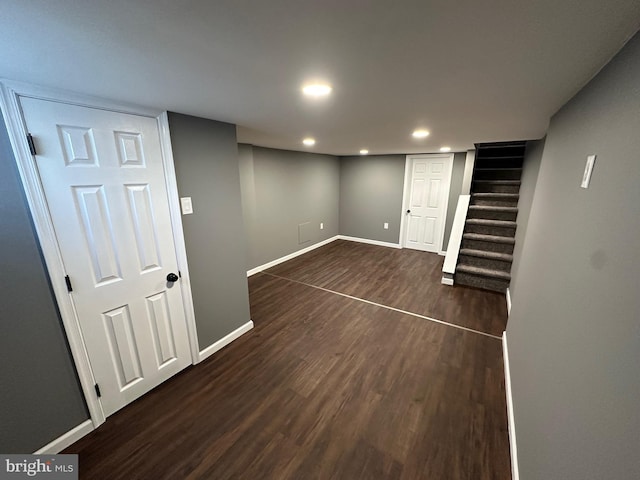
(178, 235)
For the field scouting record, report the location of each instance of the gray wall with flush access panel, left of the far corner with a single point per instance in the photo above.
(282, 190)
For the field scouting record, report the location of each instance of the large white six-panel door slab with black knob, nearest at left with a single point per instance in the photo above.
(103, 179)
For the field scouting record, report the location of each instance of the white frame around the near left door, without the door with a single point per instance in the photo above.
(16, 127)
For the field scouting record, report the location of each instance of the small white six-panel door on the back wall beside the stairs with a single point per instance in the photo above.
(428, 192)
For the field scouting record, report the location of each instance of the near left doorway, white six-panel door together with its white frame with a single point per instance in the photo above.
(98, 181)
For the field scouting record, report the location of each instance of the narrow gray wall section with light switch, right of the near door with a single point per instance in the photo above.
(206, 163)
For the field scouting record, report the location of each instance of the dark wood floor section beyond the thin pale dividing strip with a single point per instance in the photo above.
(400, 278)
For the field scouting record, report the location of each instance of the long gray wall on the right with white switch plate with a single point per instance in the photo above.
(574, 330)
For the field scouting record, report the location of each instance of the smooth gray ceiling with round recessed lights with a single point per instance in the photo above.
(468, 71)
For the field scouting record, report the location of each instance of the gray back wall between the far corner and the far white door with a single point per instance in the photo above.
(371, 194)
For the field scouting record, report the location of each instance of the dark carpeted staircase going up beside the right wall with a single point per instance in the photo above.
(486, 252)
